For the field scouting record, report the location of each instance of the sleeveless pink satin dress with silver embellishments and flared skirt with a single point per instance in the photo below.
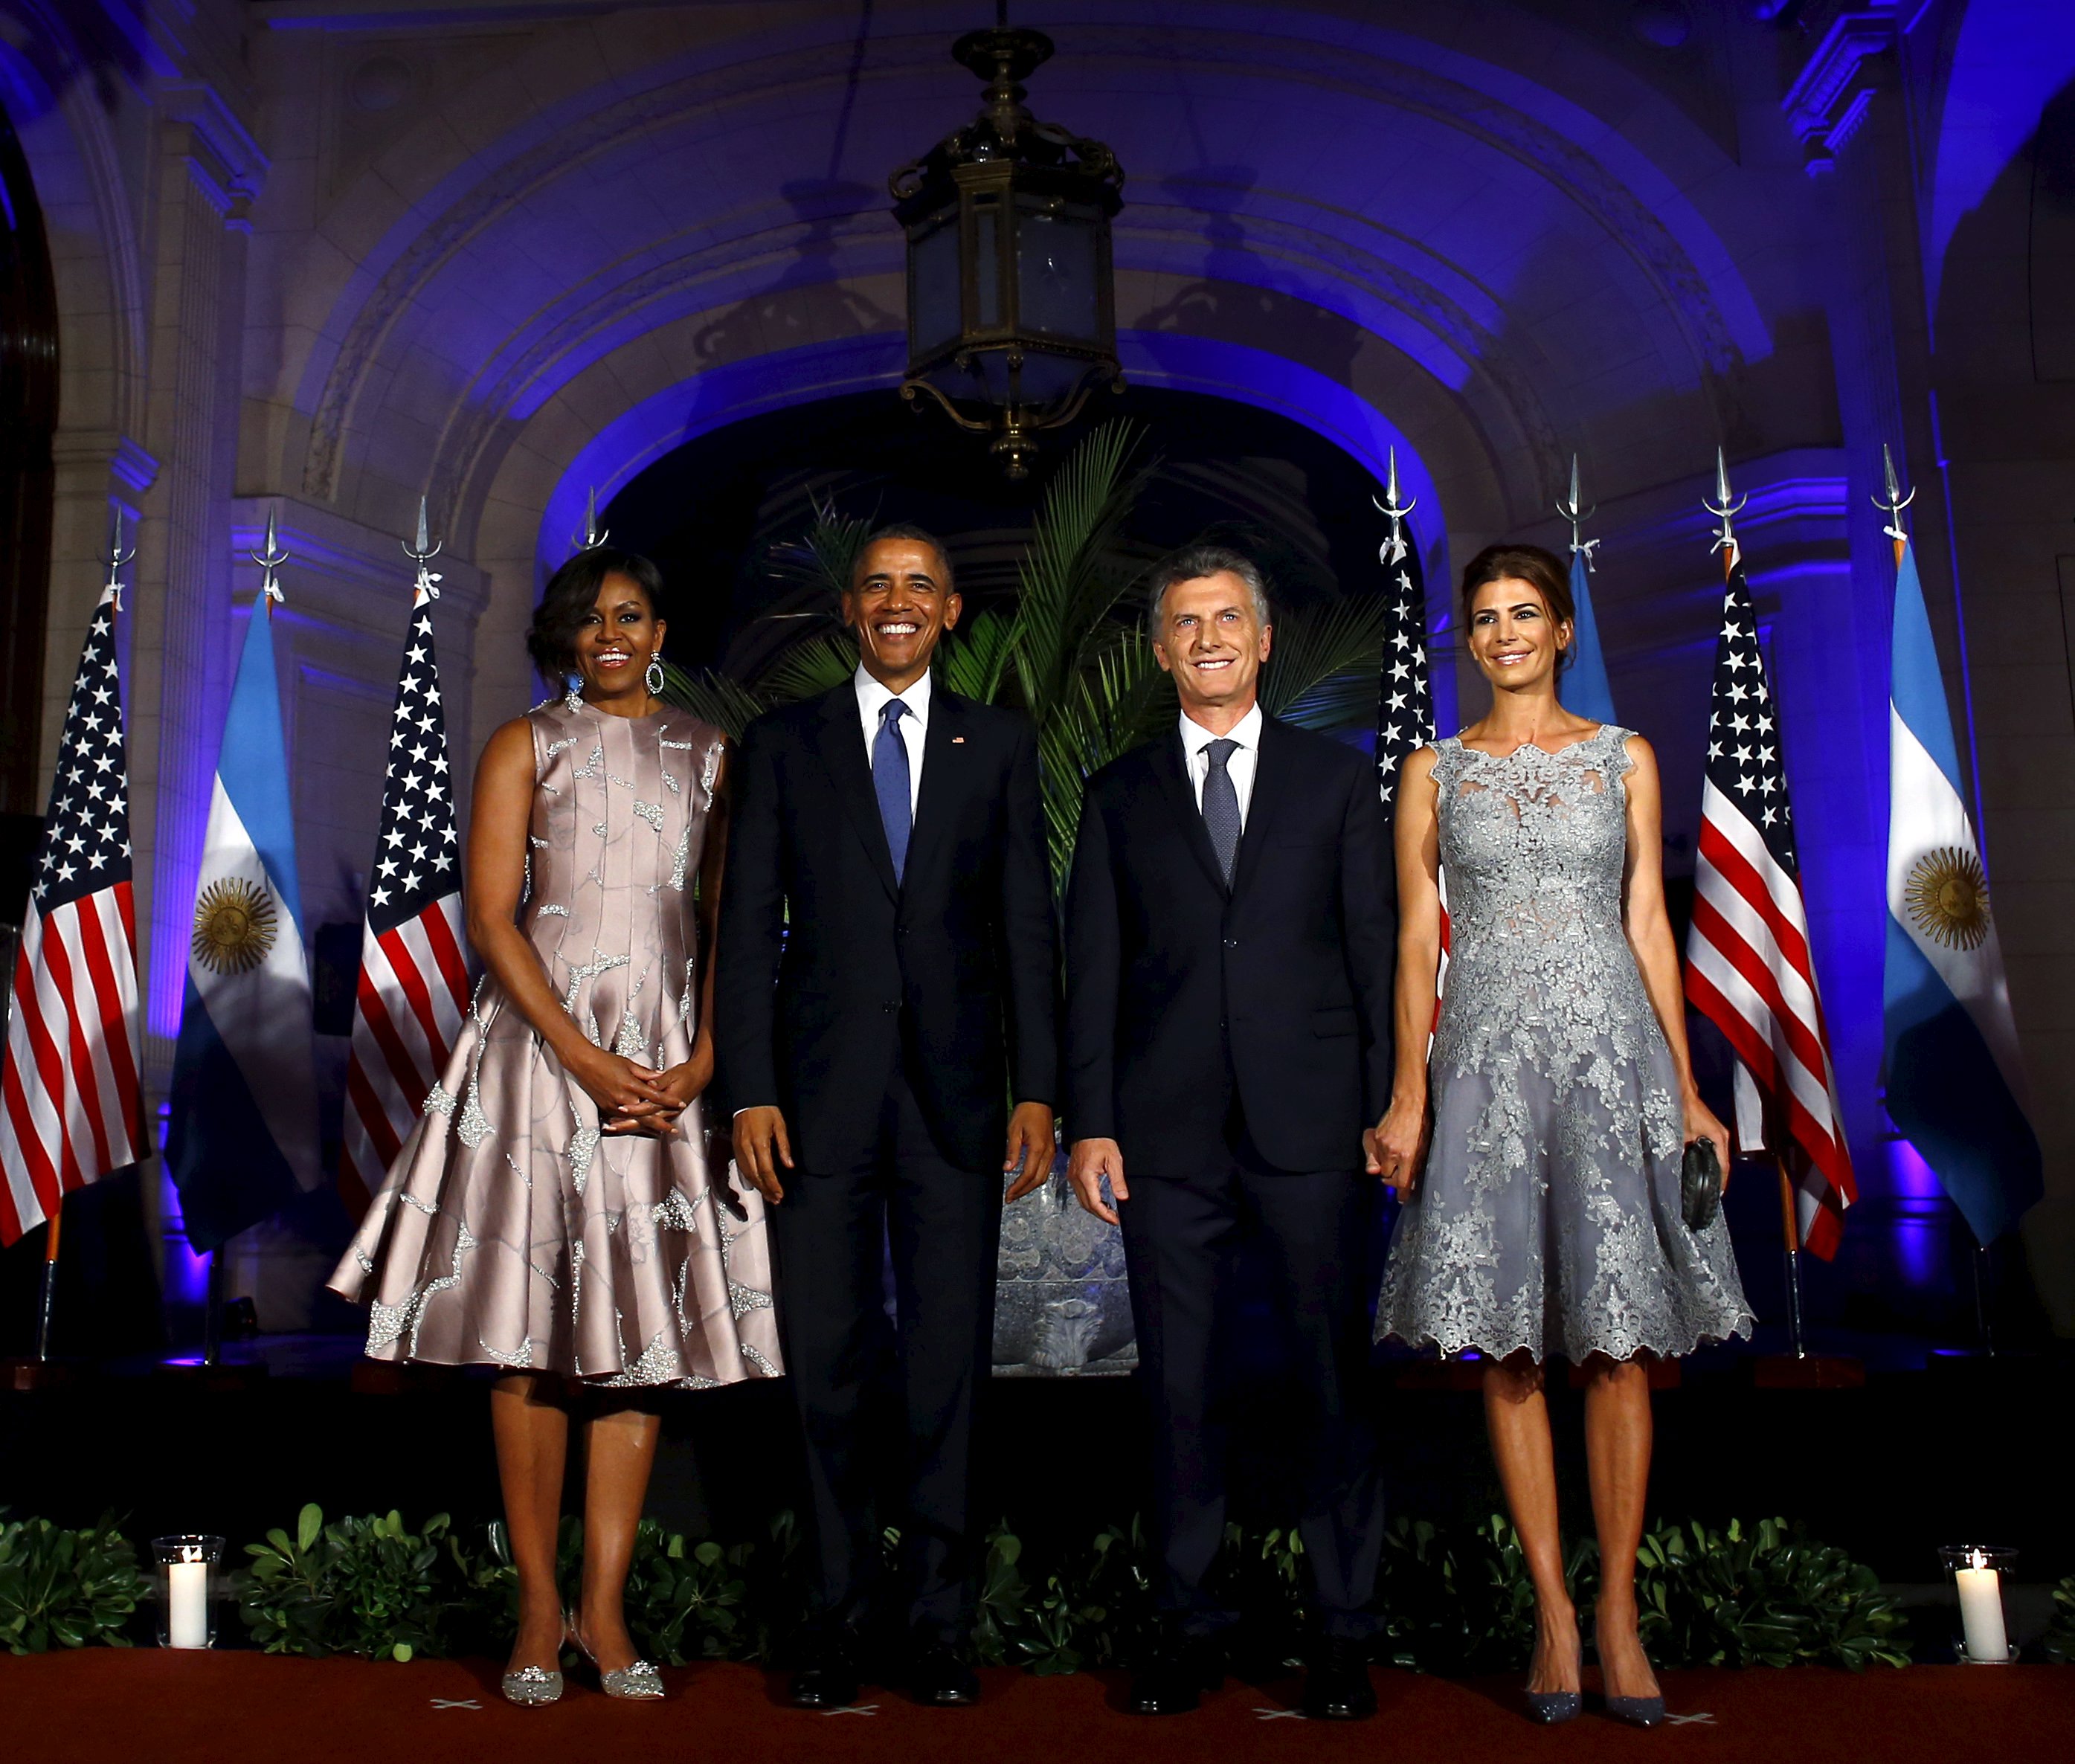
(516, 1234)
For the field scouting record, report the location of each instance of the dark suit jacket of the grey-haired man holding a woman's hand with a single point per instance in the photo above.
(1184, 995)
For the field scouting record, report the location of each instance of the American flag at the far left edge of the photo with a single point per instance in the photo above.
(70, 1099)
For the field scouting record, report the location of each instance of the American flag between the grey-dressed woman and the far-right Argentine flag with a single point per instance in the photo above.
(1748, 952)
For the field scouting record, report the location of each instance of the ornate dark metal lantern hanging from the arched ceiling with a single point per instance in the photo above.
(1012, 302)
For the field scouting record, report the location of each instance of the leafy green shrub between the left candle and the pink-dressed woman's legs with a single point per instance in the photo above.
(362, 1587)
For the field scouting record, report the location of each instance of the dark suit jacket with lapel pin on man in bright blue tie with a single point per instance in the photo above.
(827, 970)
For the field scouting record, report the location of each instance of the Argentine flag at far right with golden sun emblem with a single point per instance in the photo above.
(1956, 1082)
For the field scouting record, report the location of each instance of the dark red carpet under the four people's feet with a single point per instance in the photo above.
(242, 1709)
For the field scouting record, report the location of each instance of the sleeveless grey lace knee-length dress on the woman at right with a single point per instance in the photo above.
(1547, 1215)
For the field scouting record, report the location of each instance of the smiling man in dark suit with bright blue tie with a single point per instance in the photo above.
(885, 993)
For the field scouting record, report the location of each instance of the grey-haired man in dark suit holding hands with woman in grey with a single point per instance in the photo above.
(1232, 939)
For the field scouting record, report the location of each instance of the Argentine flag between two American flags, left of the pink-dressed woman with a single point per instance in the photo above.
(244, 1134)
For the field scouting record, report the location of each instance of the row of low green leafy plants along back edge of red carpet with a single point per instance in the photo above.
(1454, 1601)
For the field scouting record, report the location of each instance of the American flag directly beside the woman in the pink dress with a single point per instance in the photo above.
(414, 985)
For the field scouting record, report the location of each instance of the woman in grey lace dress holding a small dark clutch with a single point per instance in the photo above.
(1539, 1142)
